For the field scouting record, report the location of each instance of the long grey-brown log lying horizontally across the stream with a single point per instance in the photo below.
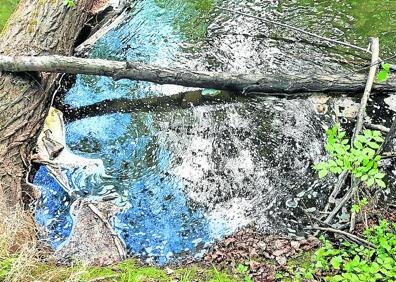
(265, 83)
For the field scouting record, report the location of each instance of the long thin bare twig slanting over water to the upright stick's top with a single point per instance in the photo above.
(297, 29)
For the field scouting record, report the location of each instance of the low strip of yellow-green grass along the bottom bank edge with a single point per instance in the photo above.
(127, 271)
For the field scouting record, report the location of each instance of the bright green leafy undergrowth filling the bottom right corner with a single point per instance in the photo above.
(352, 262)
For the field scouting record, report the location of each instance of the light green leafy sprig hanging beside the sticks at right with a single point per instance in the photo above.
(361, 159)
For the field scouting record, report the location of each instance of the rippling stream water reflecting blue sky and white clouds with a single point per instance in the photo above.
(183, 178)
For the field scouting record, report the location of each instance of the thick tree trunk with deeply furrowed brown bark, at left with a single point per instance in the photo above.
(36, 28)
